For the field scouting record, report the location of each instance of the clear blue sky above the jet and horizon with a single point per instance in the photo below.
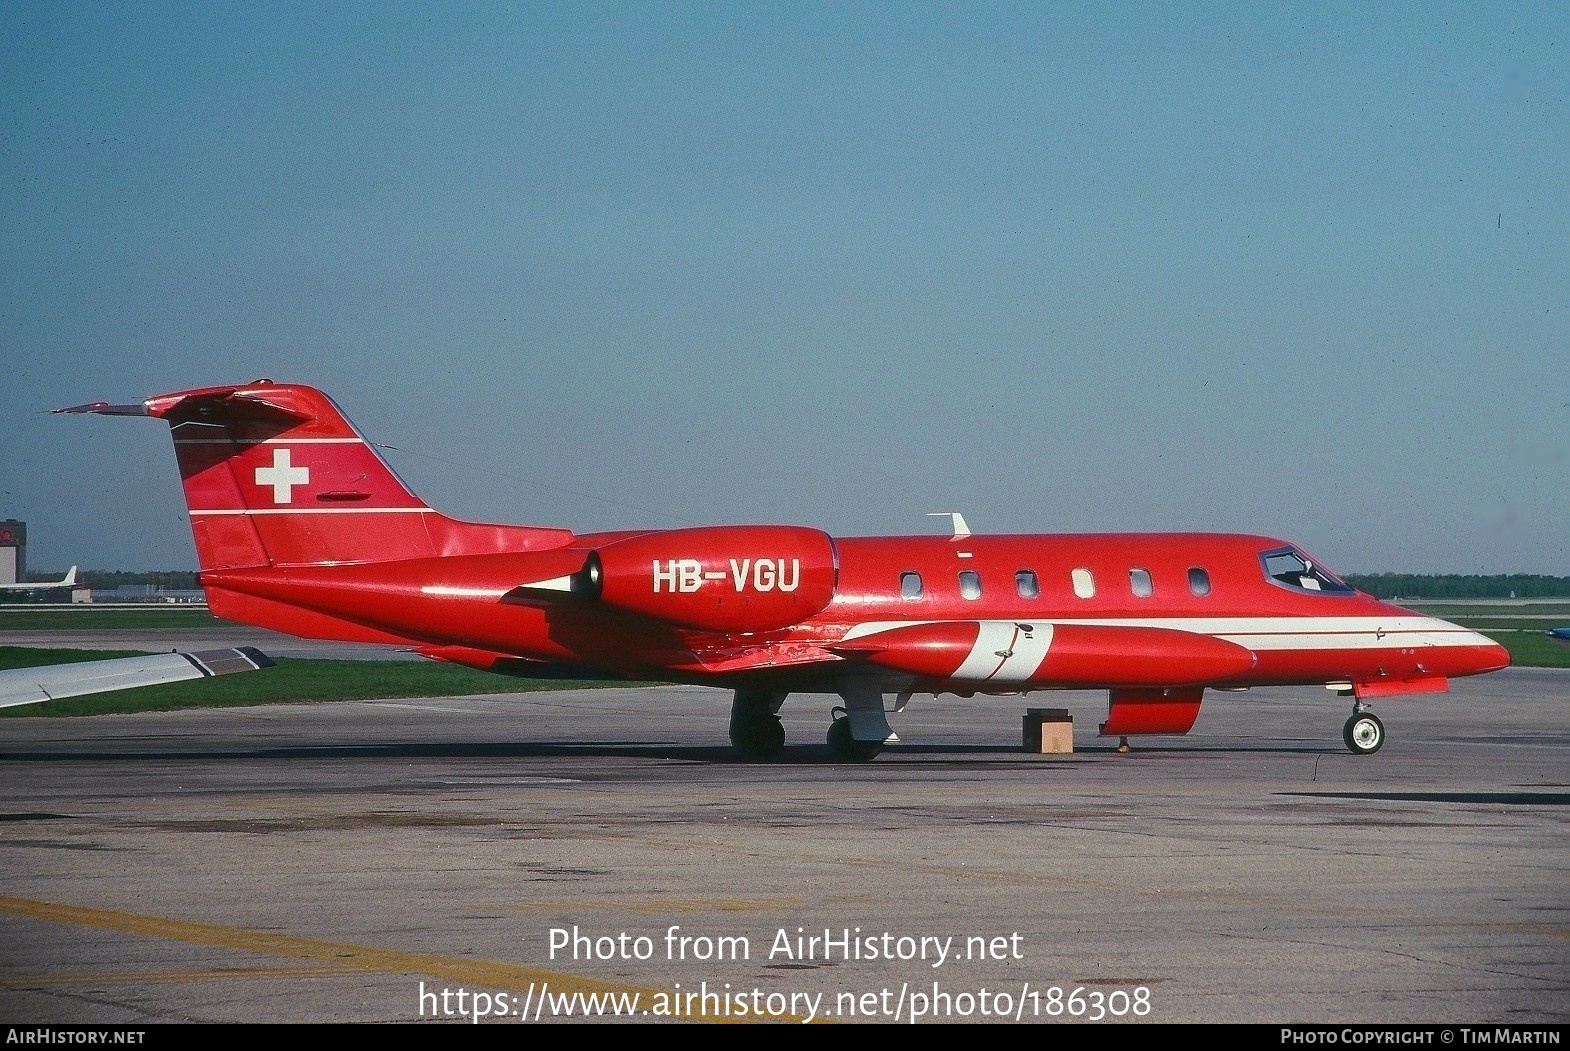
(1287, 269)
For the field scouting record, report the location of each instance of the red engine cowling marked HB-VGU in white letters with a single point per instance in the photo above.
(721, 579)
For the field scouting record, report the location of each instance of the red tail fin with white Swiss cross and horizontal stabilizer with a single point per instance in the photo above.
(276, 475)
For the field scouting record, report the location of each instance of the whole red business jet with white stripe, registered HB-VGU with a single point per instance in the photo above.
(302, 527)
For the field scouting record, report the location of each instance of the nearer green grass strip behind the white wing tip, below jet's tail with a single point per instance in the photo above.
(291, 683)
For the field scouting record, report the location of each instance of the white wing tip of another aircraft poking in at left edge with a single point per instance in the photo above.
(53, 683)
